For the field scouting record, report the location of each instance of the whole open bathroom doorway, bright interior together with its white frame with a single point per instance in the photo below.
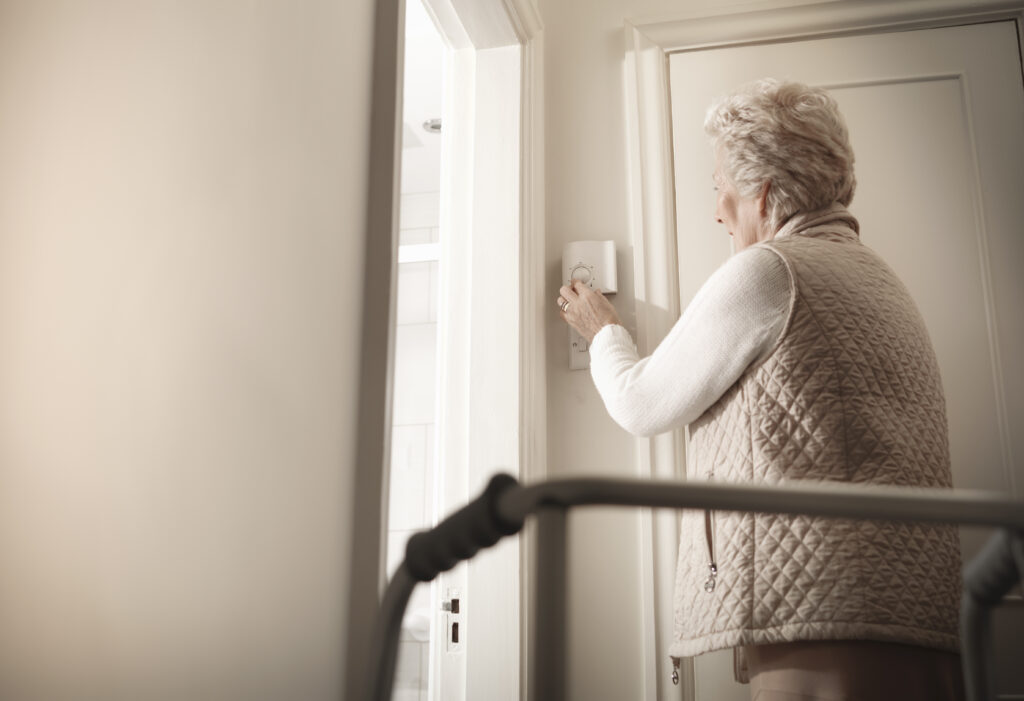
(468, 375)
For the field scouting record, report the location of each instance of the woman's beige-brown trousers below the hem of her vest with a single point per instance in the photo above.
(852, 671)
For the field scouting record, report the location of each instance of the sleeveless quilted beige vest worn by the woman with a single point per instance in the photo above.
(850, 393)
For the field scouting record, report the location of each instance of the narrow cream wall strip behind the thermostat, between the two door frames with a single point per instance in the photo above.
(587, 197)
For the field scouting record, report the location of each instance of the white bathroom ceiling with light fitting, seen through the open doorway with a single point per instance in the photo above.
(421, 154)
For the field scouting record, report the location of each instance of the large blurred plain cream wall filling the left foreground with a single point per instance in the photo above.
(183, 211)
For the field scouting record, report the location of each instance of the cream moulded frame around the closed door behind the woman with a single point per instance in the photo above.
(654, 227)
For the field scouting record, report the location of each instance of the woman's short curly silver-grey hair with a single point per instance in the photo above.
(790, 135)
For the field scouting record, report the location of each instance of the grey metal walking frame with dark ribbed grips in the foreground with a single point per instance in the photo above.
(504, 506)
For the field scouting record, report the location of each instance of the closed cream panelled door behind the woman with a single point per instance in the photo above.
(936, 118)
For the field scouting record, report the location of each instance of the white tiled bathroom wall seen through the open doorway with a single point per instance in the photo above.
(413, 431)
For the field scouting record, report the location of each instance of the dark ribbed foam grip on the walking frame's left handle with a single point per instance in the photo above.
(458, 538)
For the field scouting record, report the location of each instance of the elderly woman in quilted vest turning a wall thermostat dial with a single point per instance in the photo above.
(803, 358)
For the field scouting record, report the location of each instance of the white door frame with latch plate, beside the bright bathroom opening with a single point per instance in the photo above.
(490, 419)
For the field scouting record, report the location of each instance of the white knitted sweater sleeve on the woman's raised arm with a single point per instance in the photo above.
(735, 320)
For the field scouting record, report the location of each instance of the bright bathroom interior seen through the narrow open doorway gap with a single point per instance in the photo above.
(411, 503)
